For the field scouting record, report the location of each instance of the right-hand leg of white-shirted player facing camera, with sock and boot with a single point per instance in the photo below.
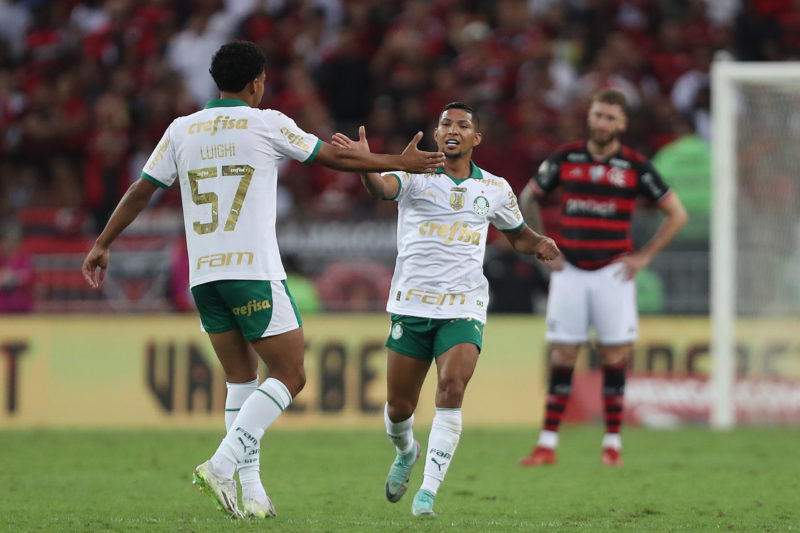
(454, 370)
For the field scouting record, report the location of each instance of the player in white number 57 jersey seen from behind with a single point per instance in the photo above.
(226, 160)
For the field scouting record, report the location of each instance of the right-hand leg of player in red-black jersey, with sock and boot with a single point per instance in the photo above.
(615, 360)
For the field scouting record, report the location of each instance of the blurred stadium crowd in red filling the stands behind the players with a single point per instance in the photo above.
(87, 87)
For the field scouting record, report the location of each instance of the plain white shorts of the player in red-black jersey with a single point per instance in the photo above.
(581, 299)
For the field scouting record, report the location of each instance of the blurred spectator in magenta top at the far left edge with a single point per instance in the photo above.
(16, 271)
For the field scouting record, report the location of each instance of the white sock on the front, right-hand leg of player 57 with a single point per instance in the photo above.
(258, 412)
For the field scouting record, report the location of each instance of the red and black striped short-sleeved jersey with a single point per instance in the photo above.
(599, 197)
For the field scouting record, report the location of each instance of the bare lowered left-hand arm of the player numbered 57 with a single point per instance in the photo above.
(135, 199)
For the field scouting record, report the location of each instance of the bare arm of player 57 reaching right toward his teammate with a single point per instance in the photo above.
(411, 160)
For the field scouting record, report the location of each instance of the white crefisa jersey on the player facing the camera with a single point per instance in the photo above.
(441, 239)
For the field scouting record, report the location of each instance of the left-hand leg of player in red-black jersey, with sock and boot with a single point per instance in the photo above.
(562, 363)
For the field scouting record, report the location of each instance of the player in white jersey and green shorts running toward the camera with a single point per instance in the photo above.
(439, 295)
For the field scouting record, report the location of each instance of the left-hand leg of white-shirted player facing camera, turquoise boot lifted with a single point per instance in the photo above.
(404, 378)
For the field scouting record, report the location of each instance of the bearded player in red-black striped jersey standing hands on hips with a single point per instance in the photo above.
(592, 283)
